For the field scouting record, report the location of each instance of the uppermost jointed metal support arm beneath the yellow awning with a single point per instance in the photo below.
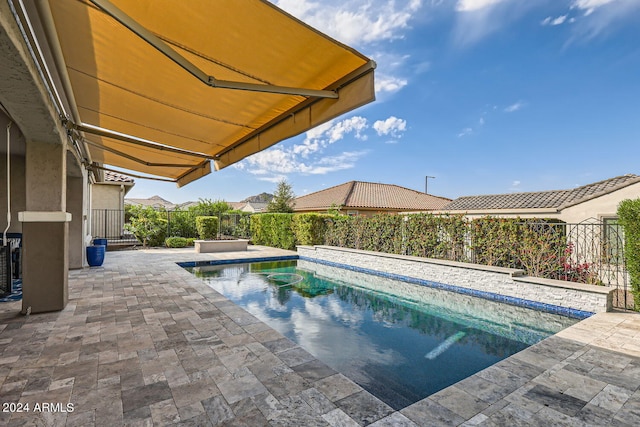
(165, 49)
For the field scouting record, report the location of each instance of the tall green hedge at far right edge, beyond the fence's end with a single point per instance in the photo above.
(629, 218)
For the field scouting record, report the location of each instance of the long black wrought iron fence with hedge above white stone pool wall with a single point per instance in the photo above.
(589, 252)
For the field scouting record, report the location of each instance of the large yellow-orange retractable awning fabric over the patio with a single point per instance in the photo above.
(126, 85)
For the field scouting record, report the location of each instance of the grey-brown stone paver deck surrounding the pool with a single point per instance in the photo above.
(143, 342)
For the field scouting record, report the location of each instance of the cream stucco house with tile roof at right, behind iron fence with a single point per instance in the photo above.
(590, 212)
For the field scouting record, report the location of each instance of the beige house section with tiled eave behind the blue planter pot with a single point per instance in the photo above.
(107, 204)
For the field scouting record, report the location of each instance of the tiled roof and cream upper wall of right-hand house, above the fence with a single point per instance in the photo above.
(598, 200)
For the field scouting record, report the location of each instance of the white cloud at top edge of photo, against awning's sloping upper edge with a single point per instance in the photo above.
(355, 21)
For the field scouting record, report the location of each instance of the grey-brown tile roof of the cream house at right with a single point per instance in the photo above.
(555, 199)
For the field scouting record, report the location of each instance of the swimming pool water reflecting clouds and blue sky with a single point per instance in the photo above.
(399, 341)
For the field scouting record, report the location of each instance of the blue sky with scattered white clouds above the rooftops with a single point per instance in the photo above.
(487, 96)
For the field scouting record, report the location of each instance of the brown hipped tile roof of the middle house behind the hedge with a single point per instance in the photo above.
(369, 198)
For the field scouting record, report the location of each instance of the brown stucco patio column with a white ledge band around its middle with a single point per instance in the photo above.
(45, 229)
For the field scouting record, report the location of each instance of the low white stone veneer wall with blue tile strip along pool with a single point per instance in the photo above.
(495, 283)
